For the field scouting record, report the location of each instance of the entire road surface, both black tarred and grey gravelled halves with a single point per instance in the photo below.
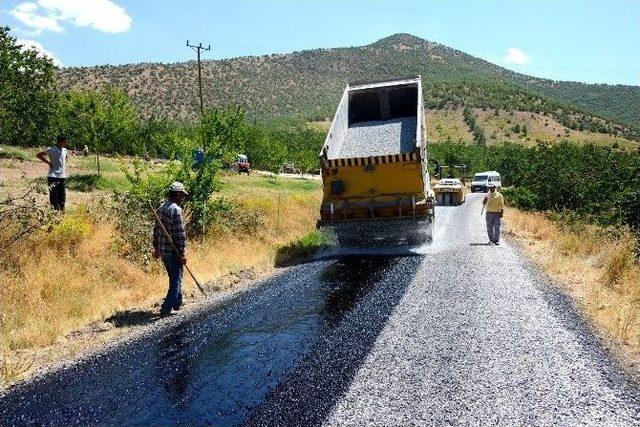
(466, 334)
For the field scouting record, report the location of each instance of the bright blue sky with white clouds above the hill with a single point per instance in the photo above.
(583, 40)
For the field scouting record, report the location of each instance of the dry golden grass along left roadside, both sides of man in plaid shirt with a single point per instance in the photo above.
(65, 278)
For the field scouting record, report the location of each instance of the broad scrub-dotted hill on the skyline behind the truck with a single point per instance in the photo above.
(308, 84)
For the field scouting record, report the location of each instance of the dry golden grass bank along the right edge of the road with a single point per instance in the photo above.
(596, 266)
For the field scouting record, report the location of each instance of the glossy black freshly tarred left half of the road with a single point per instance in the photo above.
(313, 325)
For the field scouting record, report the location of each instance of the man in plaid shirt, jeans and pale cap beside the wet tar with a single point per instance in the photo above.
(169, 243)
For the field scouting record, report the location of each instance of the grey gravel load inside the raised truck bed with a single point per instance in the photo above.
(379, 137)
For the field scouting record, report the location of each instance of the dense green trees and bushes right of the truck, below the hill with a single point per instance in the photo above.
(596, 184)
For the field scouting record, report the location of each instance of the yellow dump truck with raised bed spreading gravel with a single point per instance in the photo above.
(374, 164)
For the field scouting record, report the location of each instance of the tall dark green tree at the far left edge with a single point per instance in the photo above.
(27, 94)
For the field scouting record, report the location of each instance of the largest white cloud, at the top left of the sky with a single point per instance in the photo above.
(103, 15)
